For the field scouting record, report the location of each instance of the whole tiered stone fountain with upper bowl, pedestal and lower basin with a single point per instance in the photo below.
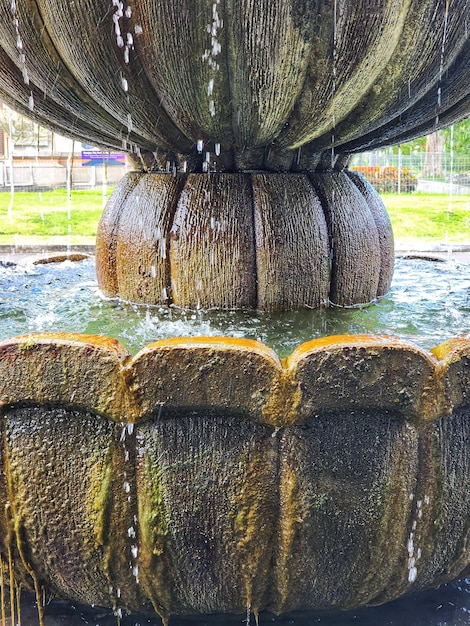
(207, 475)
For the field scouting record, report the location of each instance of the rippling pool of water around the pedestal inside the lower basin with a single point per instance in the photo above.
(429, 302)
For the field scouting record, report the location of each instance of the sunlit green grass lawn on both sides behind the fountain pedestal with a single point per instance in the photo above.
(43, 217)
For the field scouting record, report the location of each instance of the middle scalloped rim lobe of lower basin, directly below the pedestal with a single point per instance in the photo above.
(221, 373)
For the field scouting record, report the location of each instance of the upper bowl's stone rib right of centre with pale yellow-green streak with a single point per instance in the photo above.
(347, 72)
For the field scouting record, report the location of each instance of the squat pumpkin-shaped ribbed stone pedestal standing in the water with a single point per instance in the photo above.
(265, 241)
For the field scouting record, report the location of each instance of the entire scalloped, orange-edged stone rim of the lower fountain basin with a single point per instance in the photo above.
(347, 373)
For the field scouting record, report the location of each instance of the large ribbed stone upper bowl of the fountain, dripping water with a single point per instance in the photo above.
(237, 85)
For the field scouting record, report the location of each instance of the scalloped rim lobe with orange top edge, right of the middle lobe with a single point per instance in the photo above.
(367, 372)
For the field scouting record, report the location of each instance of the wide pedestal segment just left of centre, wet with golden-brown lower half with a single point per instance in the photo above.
(212, 249)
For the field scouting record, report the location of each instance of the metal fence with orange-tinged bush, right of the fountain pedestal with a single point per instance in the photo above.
(428, 172)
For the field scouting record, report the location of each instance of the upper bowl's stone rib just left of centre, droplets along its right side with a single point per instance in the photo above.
(183, 46)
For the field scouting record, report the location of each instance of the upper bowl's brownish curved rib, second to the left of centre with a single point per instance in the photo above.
(86, 39)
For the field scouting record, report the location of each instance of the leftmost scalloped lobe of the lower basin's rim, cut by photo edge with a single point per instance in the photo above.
(64, 370)
